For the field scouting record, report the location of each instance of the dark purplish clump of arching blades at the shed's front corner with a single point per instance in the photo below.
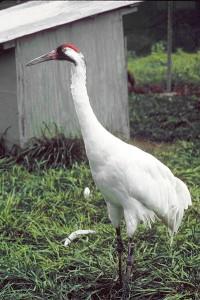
(57, 151)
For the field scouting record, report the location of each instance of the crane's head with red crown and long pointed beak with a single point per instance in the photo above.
(68, 52)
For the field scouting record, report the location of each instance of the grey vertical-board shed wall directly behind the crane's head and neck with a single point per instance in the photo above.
(44, 90)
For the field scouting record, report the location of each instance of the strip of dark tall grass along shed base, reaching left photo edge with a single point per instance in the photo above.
(52, 149)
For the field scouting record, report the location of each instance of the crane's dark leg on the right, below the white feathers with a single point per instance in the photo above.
(126, 290)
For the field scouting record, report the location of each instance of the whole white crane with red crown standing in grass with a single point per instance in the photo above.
(134, 184)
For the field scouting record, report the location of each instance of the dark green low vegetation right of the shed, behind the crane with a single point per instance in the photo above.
(163, 118)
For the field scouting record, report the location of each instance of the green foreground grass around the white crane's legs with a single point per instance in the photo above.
(39, 209)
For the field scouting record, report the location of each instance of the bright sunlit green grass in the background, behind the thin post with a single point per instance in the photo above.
(152, 69)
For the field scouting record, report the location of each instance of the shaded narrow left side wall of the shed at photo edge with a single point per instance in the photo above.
(8, 97)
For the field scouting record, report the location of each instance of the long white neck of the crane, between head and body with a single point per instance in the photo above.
(91, 129)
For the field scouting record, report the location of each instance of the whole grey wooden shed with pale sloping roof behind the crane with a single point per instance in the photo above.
(32, 97)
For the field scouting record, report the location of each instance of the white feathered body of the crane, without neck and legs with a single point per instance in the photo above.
(142, 186)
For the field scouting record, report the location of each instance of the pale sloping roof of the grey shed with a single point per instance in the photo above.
(35, 16)
